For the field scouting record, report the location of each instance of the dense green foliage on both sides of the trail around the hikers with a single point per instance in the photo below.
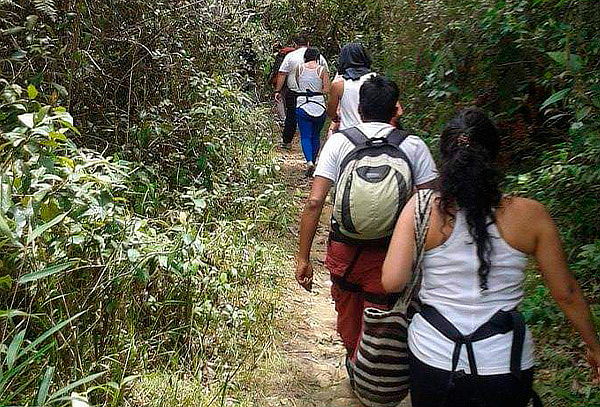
(141, 205)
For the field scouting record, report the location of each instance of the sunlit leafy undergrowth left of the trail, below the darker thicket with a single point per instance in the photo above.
(105, 280)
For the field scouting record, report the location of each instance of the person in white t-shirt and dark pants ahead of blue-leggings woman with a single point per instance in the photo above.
(286, 76)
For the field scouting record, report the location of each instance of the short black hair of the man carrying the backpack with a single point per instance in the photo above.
(378, 98)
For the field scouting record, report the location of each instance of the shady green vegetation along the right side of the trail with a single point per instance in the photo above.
(533, 64)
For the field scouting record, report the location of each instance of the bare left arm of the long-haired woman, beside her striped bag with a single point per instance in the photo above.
(397, 267)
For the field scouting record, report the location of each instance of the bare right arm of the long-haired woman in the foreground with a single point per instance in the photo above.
(563, 287)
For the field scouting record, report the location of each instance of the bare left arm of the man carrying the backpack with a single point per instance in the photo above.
(308, 228)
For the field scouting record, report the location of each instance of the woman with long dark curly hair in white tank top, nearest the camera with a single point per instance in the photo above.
(469, 346)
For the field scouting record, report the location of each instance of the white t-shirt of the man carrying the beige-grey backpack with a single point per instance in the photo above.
(338, 147)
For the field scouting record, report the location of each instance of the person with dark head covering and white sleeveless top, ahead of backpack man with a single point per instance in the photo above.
(354, 68)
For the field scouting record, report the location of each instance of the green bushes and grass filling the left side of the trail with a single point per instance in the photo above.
(142, 236)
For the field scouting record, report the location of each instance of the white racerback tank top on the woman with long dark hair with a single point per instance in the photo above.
(451, 285)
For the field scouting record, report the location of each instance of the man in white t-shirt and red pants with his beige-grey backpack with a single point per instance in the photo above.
(374, 168)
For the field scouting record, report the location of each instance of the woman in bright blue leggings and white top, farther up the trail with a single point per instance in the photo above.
(313, 84)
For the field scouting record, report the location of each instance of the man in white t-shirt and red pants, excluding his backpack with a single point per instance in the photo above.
(378, 107)
